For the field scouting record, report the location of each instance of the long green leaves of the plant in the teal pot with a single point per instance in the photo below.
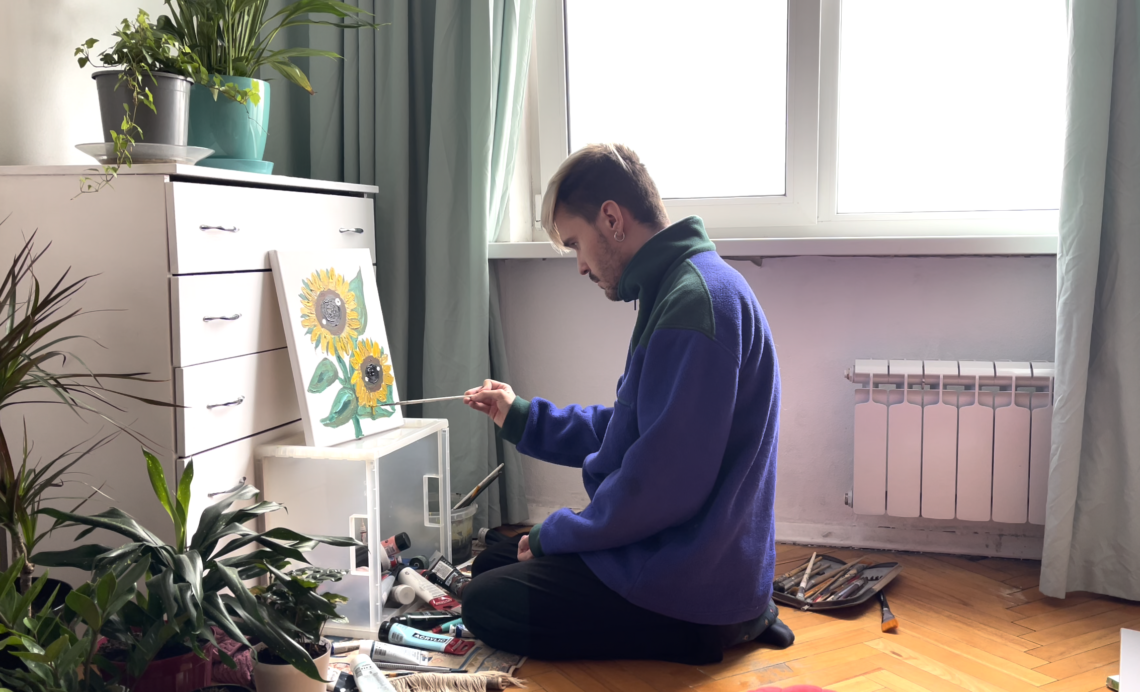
(235, 37)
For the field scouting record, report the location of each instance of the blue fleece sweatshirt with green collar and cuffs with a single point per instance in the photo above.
(682, 469)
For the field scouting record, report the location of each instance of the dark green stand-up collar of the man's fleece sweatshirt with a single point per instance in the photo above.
(657, 258)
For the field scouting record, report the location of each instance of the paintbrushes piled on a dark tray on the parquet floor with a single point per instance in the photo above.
(824, 583)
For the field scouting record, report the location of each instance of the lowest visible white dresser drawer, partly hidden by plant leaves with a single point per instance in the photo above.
(221, 471)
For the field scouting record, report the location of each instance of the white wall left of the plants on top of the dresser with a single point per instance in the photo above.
(47, 104)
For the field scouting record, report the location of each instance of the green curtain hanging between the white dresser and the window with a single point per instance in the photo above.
(429, 110)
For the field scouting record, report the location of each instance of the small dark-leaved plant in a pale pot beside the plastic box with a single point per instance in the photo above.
(292, 600)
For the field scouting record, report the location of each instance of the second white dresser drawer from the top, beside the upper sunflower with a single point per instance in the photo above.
(218, 316)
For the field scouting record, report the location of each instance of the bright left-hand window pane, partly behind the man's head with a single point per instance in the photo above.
(698, 89)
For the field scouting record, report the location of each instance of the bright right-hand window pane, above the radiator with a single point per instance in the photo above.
(951, 107)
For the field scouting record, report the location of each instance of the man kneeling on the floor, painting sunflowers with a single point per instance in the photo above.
(673, 559)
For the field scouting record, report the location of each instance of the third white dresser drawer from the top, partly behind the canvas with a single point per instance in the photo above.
(232, 400)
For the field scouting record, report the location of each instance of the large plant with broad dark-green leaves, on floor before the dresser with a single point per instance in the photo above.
(186, 582)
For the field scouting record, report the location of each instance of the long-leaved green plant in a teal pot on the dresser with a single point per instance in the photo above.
(234, 39)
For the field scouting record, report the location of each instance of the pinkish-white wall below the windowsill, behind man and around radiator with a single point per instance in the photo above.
(566, 343)
